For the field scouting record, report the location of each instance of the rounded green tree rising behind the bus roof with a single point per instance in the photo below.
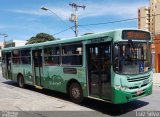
(40, 37)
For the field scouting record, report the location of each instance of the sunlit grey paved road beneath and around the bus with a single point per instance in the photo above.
(13, 98)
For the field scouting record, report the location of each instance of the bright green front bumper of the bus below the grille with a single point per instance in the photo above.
(120, 96)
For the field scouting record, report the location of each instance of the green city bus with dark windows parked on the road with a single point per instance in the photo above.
(112, 66)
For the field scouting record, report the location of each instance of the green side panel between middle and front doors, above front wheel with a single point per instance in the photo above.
(55, 78)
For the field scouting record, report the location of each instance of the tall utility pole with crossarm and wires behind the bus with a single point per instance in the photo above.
(74, 16)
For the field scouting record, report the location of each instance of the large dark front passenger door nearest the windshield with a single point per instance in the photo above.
(99, 70)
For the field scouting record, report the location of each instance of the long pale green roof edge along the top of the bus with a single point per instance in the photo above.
(73, 39)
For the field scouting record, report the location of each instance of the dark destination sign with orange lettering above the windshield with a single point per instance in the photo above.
(135, 35)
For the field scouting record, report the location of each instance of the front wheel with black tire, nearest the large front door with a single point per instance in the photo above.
(76, 93)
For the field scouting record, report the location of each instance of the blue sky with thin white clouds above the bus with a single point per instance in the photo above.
(22, 19)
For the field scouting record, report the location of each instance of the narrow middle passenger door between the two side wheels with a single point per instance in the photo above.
(37, 66)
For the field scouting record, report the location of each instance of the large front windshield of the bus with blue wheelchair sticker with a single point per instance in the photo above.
(132, 57)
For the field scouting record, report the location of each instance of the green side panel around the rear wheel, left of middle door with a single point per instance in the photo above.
(25, 70)
